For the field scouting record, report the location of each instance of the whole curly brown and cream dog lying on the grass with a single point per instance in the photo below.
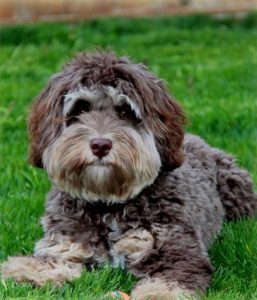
(128, 187)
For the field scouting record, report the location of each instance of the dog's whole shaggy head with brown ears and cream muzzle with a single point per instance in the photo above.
(103, 127)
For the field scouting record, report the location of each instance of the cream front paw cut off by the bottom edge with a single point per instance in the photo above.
(156, 289)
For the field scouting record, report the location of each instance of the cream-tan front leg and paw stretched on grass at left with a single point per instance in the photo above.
(57, 258)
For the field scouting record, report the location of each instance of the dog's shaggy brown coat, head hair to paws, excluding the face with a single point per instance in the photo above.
(162, 234)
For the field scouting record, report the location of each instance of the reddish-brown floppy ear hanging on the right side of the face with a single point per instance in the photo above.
(166, 119)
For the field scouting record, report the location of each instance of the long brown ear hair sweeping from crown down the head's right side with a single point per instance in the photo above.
(164, 115)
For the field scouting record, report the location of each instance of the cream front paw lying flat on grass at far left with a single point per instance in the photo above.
(39, 271)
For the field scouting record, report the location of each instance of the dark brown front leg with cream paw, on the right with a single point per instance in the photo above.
(177, 266)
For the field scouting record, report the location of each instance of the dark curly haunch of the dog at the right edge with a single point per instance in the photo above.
(235, 187)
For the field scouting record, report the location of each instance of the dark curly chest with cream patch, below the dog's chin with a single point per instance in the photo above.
(124, 231)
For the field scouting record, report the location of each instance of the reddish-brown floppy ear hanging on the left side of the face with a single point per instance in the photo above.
(45, 119)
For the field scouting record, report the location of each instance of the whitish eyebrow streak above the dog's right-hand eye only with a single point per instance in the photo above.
(120, 99)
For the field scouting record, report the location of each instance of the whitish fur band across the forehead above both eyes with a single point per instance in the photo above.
(95, 93)
